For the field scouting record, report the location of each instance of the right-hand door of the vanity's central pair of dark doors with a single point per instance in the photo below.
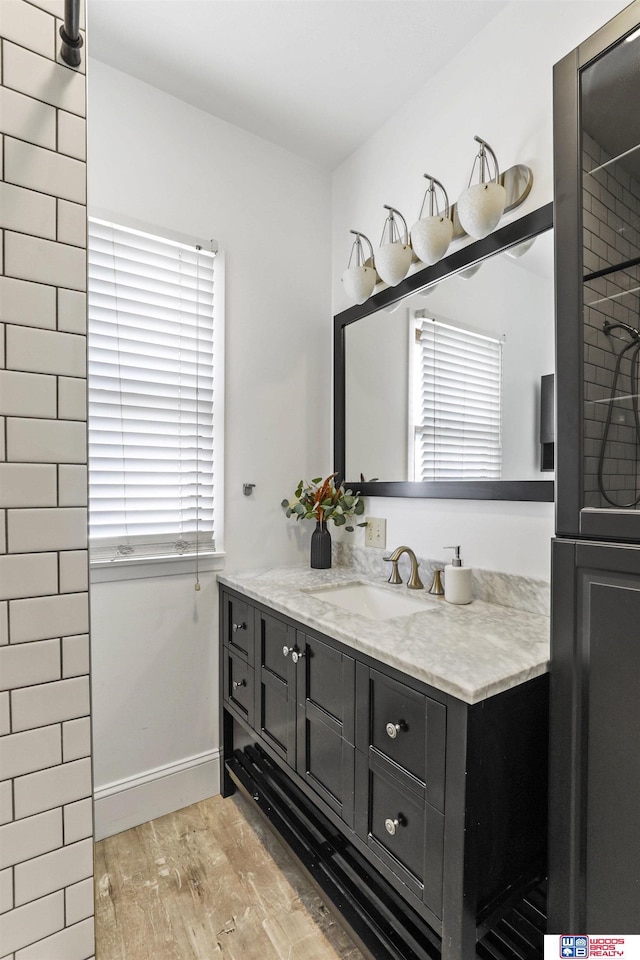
(325, 751)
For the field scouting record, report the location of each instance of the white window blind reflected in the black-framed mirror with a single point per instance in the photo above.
(457, 396)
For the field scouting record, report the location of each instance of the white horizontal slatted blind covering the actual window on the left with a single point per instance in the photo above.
(151, 395)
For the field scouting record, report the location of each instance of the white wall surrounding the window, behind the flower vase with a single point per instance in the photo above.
(155, 159)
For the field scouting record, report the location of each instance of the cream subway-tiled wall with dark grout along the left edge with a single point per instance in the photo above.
(46, 846)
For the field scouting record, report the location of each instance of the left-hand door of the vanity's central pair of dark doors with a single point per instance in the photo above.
(275, 685)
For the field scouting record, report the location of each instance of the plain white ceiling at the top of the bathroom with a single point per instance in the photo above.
(315, 76)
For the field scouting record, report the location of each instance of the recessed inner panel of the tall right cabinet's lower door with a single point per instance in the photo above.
(613, 757)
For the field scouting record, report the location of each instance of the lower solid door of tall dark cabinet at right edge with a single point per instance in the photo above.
(595, 752)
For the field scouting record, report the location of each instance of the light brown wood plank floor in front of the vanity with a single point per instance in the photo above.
(209, 882)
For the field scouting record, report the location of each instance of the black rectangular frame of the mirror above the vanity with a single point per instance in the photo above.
(532, 224)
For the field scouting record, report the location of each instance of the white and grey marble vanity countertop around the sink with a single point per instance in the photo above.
(471, 652)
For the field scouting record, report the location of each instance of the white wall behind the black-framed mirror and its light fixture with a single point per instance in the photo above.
(500, 87)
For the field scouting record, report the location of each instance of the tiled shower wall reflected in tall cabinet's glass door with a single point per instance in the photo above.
(611, 234)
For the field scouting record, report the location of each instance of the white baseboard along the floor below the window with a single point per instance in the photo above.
(154, 793)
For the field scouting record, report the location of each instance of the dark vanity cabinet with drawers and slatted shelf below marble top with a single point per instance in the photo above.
(420, 817)
